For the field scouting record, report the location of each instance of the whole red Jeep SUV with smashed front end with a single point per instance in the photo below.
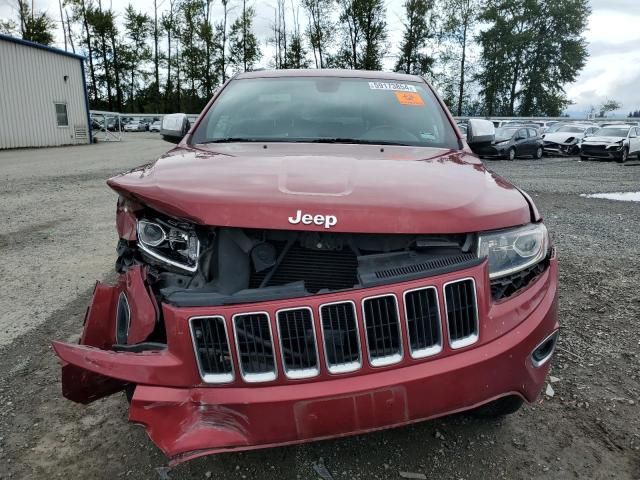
(321, 256)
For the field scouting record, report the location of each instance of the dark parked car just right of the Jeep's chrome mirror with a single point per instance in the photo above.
(512, 142)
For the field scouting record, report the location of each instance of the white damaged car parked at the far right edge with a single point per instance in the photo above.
(617, 142)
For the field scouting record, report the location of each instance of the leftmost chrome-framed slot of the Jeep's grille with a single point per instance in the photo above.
(211, 346)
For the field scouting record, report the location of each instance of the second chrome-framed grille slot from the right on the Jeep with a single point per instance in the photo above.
(423, 322)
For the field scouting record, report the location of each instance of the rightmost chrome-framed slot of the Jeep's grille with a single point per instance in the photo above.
(462, 312)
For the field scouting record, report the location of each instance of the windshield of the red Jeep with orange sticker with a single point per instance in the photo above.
(327, 109)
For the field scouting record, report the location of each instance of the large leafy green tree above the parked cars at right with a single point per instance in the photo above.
(531, 49)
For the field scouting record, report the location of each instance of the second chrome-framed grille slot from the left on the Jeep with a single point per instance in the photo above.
(255, 346)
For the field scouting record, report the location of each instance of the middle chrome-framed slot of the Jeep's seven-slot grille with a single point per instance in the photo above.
(341, 337)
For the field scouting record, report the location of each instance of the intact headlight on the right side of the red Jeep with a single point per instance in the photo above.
(513, 250)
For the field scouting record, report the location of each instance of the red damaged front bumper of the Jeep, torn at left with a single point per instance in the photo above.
(187, 418)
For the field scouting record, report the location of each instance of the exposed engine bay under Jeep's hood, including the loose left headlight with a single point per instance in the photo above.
(191, 265)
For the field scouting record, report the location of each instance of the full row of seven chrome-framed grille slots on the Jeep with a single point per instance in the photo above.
(339, 325)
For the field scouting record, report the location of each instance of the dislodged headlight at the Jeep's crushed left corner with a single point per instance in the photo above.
(170, 241)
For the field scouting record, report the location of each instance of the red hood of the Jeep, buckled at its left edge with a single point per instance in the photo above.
(367, 189)
